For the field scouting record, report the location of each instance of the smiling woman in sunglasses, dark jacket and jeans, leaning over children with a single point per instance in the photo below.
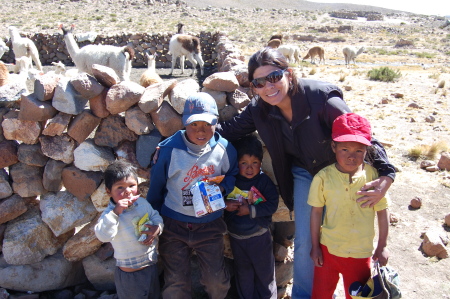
(294, 118)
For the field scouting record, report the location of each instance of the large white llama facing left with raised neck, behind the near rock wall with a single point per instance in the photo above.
(117, 58)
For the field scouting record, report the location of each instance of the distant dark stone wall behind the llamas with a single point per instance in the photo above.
(52, 47)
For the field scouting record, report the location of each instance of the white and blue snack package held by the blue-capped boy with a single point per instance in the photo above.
(206, 198)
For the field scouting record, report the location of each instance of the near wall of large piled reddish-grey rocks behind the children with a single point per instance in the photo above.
(54, 145)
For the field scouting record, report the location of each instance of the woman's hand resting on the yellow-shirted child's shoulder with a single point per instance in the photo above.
(374, 191)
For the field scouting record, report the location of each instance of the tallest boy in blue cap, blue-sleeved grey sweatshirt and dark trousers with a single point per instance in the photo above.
(185, 158)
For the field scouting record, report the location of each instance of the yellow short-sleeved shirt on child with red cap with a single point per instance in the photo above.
(347, 229)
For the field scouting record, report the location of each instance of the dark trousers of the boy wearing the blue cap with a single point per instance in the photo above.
(176, 244)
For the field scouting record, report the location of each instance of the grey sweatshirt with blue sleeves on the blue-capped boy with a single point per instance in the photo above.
(177, 169)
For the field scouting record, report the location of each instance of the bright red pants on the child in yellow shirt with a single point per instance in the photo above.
(327, 276)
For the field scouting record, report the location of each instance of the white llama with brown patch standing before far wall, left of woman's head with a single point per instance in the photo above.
(186, 46)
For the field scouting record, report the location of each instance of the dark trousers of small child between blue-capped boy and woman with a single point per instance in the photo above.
(254, 266)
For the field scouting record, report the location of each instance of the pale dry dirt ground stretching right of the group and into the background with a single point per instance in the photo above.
(387, 106)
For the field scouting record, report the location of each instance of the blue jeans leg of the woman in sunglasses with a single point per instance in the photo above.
(303, 264)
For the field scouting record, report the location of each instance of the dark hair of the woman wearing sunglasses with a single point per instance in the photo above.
(270, 56)
